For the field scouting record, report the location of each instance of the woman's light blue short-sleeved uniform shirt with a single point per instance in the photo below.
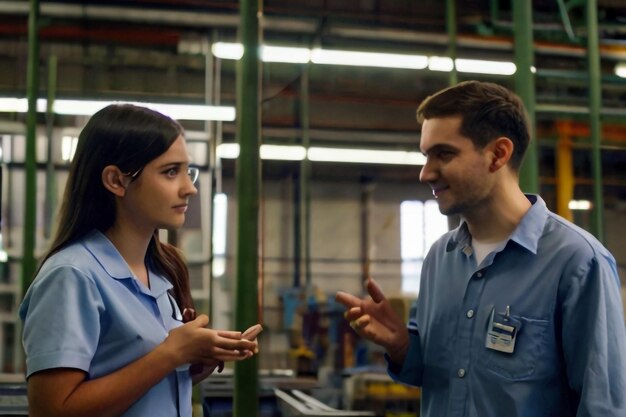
(85, 310)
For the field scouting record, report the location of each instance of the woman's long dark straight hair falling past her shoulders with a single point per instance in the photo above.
(128, 137)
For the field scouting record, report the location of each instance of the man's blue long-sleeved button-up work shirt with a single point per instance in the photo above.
(562, 288)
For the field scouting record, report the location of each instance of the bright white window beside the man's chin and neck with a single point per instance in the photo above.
(421, 224)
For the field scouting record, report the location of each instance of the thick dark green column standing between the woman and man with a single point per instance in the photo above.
(245, 402)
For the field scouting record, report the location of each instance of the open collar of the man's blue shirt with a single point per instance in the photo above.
(526, 234)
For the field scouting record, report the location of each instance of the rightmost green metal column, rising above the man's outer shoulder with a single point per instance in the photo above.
(595, 102)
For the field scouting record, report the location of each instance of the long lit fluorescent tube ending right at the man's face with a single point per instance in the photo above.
(368, 156)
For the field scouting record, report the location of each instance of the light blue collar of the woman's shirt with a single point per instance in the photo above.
(107, 255)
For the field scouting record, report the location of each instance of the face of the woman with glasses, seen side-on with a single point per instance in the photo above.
(158, 196)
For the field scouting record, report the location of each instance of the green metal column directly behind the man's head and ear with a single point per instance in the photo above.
(525, 87)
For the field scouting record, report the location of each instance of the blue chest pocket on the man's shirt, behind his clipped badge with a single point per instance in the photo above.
(530, 358)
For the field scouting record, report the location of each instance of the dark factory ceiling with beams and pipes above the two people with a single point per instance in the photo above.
(155, 50)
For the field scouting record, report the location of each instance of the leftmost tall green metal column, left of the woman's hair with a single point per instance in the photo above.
(28, 247)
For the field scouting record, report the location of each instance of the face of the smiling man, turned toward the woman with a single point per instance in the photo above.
(457, 172)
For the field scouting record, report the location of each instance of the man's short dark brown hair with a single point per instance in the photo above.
(488, 111)
